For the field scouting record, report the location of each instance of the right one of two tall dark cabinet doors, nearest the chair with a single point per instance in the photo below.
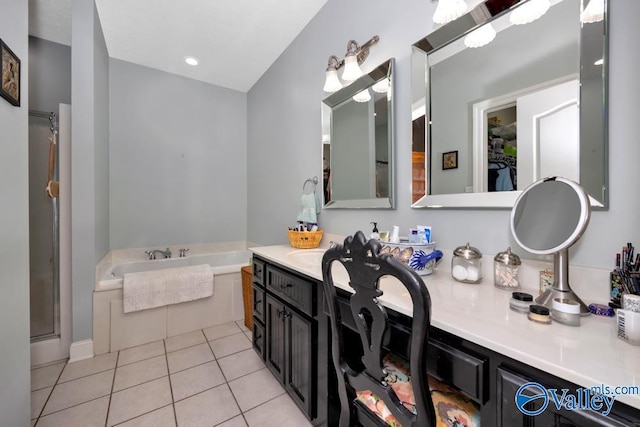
(302, 358)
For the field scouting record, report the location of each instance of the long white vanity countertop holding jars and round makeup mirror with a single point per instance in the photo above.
(589, 355)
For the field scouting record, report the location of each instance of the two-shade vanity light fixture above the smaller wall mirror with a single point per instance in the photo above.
(355, 56)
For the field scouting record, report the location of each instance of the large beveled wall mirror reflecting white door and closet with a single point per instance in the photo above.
(489, 121)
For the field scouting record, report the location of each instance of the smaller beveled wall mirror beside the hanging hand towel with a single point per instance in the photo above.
(357, 142)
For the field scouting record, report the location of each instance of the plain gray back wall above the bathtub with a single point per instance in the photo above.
(178, 171)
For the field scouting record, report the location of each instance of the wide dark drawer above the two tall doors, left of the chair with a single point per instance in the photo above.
(297, 291)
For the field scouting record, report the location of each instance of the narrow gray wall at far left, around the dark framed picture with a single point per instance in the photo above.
(14, 229)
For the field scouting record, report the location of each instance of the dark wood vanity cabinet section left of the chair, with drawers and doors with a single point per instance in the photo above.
(291, 343)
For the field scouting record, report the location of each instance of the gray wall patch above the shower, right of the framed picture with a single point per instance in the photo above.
(49, 74)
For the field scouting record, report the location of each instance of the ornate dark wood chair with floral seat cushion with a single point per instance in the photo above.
(371, 390)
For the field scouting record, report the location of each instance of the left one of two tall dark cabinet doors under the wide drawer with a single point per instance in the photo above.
(275, 340)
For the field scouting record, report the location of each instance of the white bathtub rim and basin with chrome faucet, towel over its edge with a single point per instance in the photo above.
(221, 263)
